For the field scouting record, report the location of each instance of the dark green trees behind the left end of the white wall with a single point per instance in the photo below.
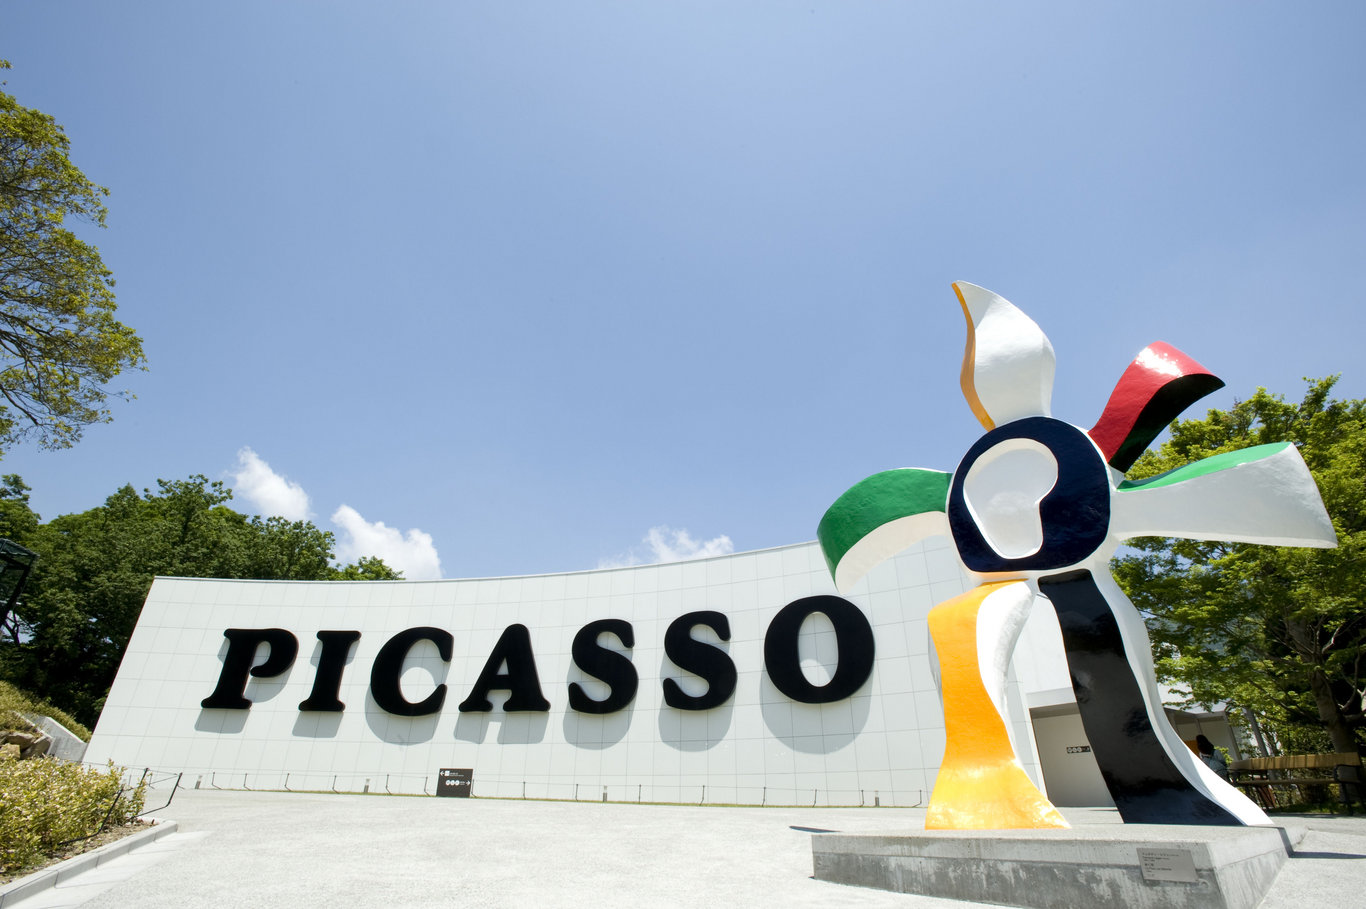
(83, 601)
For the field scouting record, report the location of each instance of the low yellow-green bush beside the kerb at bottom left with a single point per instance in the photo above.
(47, 803)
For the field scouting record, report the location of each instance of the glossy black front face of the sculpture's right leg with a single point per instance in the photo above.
(1147, 787)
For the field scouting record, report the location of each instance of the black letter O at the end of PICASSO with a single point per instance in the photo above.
(854, 638)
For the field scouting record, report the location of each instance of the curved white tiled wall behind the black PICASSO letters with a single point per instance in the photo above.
(884, 743)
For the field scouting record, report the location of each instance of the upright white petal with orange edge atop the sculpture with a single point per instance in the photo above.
(1009, 364)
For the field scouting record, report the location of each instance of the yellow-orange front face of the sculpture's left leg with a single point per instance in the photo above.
(981, 784)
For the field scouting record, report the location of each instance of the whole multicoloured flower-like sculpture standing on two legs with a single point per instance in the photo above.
(1037, 508)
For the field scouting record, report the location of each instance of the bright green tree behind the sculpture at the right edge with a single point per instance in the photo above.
(1279, 634)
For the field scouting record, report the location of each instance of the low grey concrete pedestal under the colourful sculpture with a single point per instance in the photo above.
(1130, 866)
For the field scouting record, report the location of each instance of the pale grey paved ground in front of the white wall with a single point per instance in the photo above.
(294, 850)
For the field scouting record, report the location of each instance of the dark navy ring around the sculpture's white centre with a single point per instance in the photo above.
(1074, 515)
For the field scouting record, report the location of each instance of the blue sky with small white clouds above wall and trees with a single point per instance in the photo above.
(527, 281)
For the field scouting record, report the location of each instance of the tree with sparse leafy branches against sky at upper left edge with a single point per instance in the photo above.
(59, 341)
